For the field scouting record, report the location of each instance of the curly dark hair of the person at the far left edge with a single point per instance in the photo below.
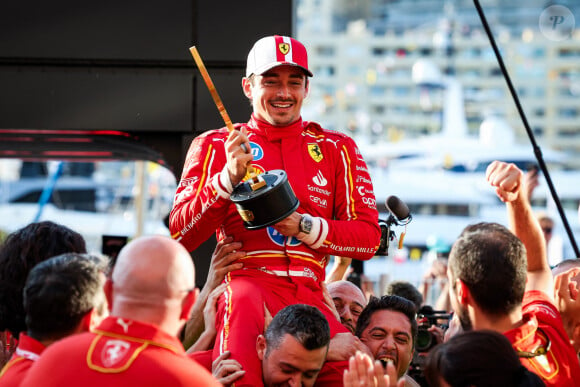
(19, 253)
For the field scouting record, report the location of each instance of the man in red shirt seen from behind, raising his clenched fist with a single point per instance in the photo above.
(498, 284)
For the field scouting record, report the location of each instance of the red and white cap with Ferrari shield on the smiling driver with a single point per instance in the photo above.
(272, 51)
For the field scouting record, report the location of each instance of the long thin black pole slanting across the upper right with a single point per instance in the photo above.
(537, 150)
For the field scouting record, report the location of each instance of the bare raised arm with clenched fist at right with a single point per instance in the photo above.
(508, 182)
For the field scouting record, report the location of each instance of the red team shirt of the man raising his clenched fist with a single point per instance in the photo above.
(560, 366)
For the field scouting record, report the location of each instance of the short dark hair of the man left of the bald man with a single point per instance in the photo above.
(60, 291)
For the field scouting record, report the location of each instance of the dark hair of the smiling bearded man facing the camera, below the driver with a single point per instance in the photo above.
(393, 303)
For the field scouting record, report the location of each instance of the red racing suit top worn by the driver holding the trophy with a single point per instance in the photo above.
(337, 188)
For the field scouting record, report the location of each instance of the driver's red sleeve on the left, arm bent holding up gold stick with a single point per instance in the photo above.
(202, 197)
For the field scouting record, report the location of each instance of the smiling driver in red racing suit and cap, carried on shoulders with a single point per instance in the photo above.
(285, 263)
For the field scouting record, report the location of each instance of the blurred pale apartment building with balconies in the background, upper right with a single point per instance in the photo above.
(362, 53)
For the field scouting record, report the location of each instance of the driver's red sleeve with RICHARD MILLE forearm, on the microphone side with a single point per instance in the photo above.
(354, 231)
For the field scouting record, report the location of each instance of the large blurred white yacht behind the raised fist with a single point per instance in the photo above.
(441, 178)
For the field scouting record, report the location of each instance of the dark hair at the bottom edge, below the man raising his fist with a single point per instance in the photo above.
(478, 358)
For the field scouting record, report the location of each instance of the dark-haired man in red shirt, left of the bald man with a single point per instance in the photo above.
(62, 296)
